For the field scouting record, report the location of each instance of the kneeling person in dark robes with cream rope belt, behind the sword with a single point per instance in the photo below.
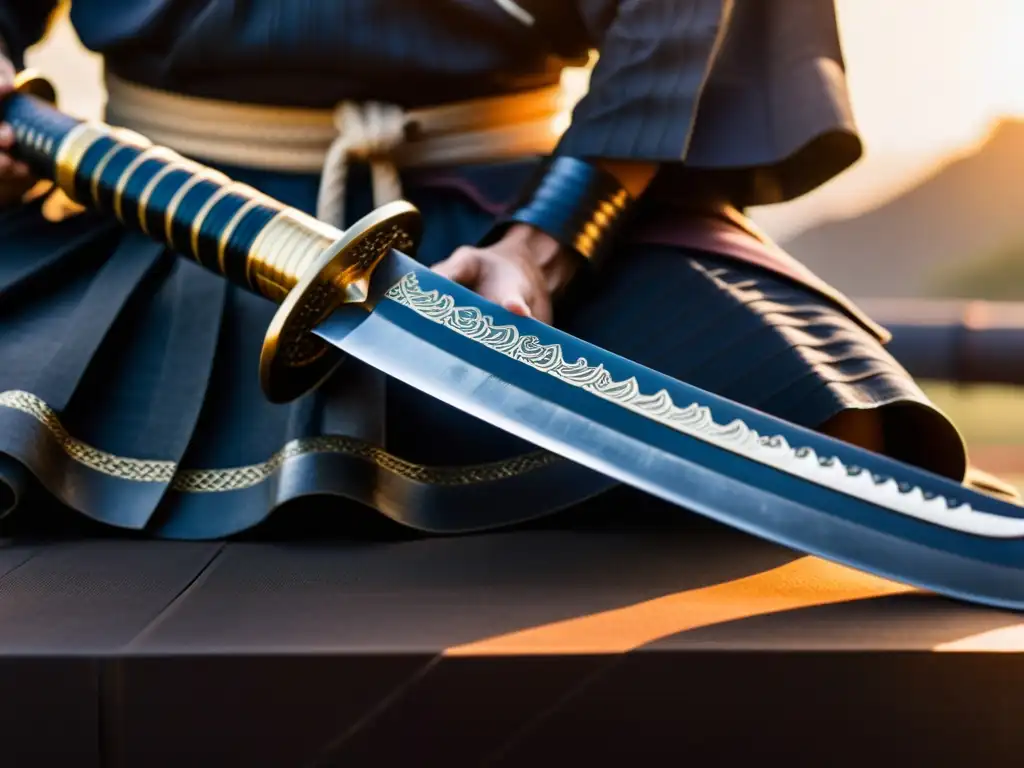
(127, 374)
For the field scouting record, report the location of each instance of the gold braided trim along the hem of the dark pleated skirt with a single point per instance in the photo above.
(238, 479)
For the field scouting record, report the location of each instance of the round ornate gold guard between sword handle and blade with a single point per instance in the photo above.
(293, 361)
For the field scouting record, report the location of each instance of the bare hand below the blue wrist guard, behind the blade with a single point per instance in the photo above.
(522, 272)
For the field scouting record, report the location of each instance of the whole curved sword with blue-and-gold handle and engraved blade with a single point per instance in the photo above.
(356, 293)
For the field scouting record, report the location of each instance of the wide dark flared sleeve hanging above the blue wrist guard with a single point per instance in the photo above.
(751, 95)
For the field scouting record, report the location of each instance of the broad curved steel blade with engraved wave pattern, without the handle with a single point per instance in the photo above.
(732, 463)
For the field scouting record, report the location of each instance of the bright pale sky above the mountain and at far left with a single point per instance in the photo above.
(928, 78)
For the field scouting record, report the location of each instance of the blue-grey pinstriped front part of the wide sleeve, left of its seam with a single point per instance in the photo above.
(655, 60)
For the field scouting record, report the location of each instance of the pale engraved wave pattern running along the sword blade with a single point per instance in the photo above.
(698, 421)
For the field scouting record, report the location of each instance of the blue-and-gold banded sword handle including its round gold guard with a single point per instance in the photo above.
(306, 266)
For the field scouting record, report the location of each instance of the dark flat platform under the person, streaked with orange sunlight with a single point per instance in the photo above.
(676, 644)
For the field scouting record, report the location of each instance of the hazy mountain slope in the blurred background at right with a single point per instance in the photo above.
(964, 210)
